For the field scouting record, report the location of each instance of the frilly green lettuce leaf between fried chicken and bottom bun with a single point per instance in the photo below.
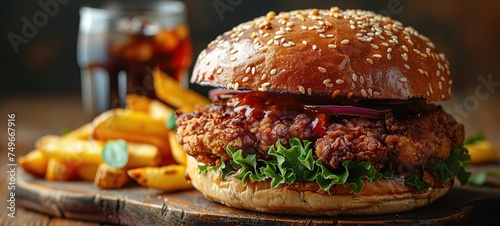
(297, 163)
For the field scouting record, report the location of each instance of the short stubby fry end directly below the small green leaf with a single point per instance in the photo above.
(108, 177)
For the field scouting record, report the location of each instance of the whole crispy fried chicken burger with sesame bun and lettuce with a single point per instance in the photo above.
(323, 112)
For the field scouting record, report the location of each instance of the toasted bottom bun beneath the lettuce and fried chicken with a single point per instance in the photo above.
(381, 197)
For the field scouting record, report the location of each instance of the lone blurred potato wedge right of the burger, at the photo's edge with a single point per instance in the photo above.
(482, 151)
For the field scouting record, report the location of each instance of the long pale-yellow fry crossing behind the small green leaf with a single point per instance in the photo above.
(75, 152)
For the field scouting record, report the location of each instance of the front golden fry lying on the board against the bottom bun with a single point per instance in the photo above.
(167, 178)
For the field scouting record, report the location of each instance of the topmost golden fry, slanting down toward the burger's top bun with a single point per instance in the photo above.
(169, 90)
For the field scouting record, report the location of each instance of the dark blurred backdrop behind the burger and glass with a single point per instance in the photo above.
(468, 32)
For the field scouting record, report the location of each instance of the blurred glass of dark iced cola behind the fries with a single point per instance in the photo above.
(121, 42)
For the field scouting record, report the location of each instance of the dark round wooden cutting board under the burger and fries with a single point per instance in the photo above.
(136, 205)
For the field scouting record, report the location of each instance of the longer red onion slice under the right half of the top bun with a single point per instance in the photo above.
(347, 110)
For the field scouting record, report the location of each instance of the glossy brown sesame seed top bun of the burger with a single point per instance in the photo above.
(342, 54)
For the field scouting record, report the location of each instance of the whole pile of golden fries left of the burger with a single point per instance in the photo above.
(155, 159)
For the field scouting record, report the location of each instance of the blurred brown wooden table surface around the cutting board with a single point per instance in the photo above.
(40, 115)
